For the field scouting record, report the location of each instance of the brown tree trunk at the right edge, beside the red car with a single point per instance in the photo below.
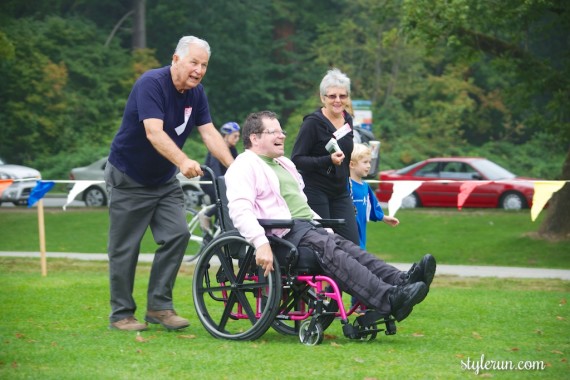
(556, 224)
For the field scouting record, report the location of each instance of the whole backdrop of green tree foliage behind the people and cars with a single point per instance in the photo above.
(457, 77)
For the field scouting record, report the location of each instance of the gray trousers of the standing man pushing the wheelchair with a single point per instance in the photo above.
(132, 209)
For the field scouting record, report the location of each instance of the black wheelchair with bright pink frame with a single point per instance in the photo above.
(235, 301)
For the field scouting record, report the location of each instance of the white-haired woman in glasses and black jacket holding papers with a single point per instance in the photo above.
(322, 154)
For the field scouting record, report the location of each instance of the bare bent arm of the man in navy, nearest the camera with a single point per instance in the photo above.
(166, 147)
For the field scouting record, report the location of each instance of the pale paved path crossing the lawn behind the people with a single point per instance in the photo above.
(452, 270)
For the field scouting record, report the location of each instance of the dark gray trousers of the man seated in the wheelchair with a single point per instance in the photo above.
(355, 270)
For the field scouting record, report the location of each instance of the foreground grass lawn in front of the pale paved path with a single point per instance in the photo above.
(55, 327)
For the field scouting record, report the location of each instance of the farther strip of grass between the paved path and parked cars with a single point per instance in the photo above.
(478, 237)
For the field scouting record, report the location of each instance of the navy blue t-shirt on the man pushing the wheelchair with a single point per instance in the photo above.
(154, 96)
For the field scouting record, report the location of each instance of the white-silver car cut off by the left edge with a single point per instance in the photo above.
(25, 180)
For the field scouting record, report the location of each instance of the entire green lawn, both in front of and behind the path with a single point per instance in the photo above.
(56, 327)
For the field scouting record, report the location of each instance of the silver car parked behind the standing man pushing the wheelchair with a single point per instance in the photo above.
(96, 194)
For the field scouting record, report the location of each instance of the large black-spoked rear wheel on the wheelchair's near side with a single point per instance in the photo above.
(232, 298)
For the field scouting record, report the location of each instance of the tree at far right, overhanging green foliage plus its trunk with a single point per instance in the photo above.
(526, 42)
